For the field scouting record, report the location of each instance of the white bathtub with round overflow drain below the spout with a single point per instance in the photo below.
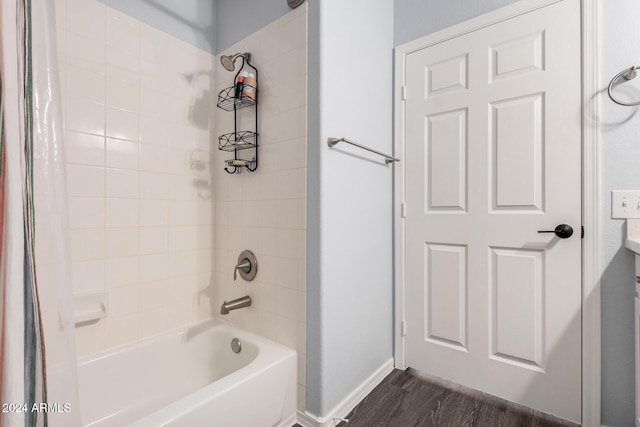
(191, 377)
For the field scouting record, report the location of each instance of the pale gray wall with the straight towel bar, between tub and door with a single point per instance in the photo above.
(349, 256)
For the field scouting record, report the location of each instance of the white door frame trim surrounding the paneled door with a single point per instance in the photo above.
(591, 347)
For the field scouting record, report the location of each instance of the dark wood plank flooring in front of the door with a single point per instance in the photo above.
(407, 399)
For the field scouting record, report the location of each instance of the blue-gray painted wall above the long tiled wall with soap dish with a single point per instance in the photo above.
(192, 21)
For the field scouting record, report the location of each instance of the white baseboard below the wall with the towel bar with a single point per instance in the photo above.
(306, 419)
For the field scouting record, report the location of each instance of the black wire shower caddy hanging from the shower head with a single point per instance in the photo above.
(240, 140)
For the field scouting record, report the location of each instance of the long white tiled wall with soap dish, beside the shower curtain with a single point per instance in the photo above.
(138, 110)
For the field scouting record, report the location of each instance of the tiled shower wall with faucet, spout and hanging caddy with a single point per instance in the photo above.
(265, 211)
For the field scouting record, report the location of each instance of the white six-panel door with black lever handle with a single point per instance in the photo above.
(492, 156)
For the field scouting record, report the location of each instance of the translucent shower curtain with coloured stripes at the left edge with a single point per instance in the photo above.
(38, 381)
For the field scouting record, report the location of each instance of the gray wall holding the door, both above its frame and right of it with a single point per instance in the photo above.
(620, 153)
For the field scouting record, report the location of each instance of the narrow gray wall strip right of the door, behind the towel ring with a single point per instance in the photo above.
(620, 149)
